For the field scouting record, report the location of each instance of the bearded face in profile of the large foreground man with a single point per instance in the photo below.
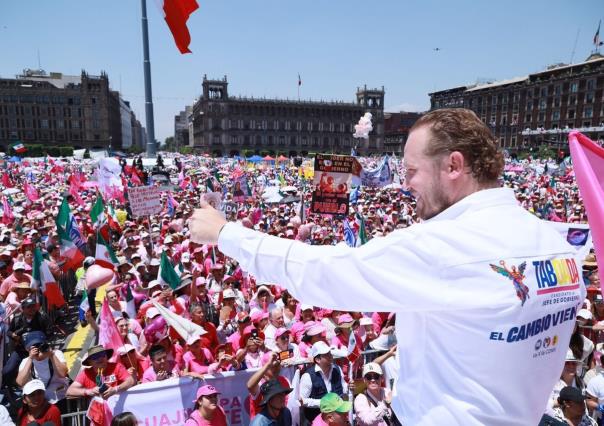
(424, 176)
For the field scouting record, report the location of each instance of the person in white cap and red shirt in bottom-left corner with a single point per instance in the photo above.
(36, 409)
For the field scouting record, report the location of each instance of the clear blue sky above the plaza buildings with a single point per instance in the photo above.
(262, 46)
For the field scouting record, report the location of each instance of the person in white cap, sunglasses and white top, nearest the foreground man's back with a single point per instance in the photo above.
(372, 407)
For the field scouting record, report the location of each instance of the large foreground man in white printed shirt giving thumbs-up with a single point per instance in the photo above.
(485, 294)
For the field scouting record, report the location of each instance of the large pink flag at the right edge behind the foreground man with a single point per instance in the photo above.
(588, 162)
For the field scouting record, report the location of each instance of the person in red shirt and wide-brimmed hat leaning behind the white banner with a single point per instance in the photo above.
(113, 377)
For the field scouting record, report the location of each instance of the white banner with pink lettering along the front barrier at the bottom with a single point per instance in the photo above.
(170, 402)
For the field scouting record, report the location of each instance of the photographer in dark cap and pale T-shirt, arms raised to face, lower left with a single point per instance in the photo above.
(45, 364)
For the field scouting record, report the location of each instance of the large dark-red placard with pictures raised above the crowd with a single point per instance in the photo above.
(331, 183)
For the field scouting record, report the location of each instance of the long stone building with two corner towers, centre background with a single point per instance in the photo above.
(225, 125)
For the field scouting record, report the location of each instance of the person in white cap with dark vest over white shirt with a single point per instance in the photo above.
(321, 377)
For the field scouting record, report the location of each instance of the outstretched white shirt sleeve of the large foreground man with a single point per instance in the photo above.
(339, 276)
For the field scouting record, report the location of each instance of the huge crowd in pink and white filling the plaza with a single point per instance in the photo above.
(248, 324)
